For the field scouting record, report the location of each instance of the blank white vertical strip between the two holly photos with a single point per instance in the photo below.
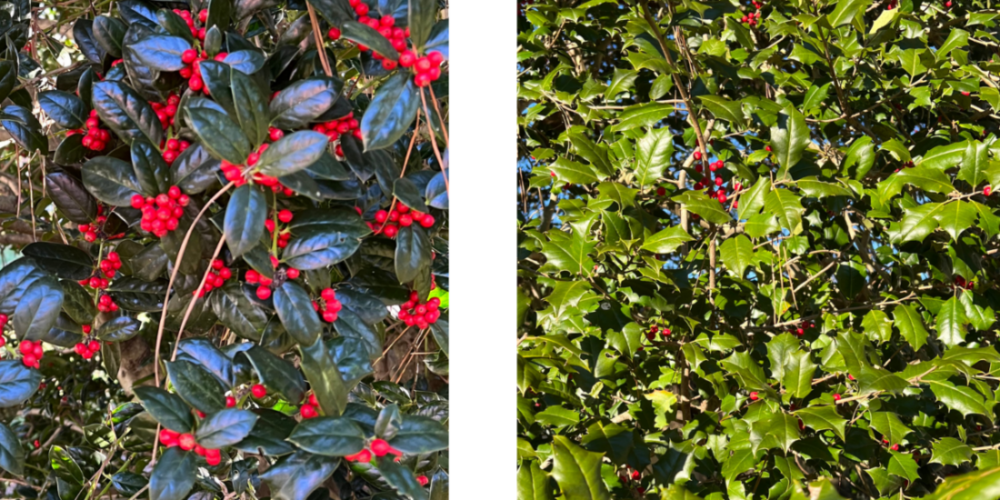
(483, 128)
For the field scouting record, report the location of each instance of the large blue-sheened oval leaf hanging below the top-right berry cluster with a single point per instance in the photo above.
(390, 113)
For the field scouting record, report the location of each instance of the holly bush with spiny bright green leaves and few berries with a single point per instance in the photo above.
(757, 249)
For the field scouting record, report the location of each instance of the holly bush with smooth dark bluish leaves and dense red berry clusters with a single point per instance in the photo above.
(226, 250)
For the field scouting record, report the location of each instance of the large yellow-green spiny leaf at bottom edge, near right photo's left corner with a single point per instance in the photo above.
(577, 471)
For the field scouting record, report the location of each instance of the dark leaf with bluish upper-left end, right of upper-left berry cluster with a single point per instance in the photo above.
(126, 112)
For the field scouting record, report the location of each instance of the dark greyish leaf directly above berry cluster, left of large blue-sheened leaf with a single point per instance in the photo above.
(303, 101)
